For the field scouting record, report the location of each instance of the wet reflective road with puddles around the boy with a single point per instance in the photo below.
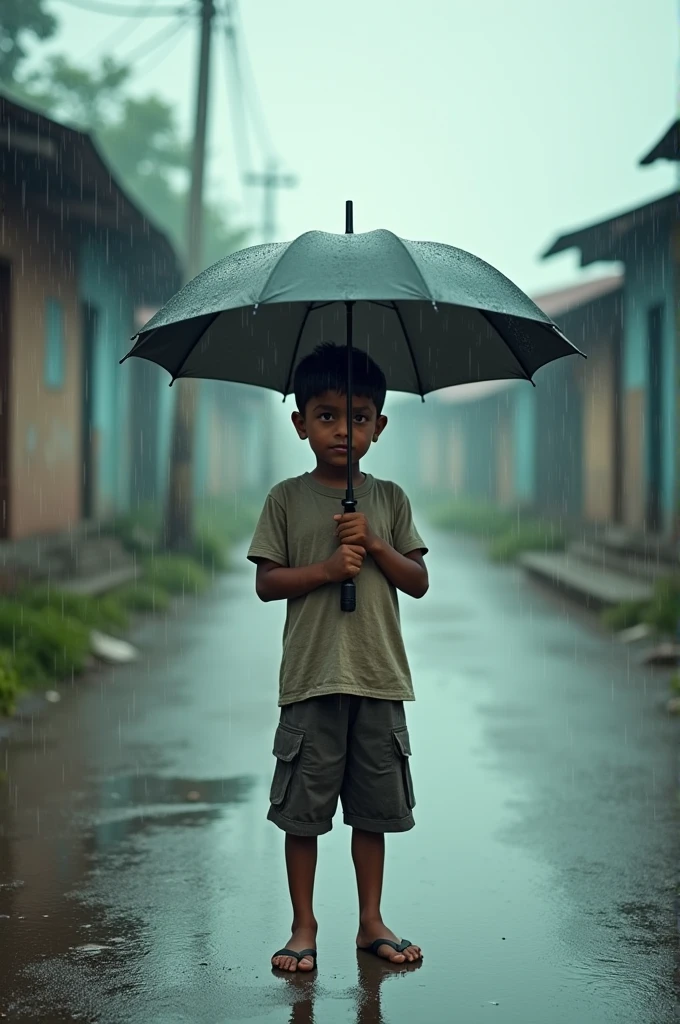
(144, 884)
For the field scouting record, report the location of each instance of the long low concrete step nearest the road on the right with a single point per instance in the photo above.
(585, 582)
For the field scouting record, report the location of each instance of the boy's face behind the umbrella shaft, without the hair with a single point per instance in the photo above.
(324, 424)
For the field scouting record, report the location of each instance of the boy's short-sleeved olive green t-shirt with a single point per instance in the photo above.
(327, 651)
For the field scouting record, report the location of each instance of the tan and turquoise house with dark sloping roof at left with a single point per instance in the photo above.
(77, 259)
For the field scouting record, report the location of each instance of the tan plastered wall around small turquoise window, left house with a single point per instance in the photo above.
(45, 422)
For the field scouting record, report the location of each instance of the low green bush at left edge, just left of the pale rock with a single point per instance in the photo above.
(59, 645)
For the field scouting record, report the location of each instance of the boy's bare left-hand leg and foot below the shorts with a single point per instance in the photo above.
(302, 867)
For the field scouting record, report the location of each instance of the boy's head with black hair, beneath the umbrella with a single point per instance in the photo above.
(321, 396)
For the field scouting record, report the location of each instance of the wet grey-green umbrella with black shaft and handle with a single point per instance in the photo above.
(431, 315)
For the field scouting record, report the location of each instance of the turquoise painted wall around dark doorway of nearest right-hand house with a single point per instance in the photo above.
(650, 283)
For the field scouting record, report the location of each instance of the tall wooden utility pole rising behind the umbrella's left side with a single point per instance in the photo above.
(180, 514)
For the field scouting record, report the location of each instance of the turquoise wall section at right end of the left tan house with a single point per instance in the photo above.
(102, 284)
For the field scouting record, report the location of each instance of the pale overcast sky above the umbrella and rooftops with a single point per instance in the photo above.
(487, 125)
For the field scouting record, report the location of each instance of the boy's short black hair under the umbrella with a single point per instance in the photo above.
(326, 370)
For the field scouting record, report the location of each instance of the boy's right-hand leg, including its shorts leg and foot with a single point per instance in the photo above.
(377, 797)
